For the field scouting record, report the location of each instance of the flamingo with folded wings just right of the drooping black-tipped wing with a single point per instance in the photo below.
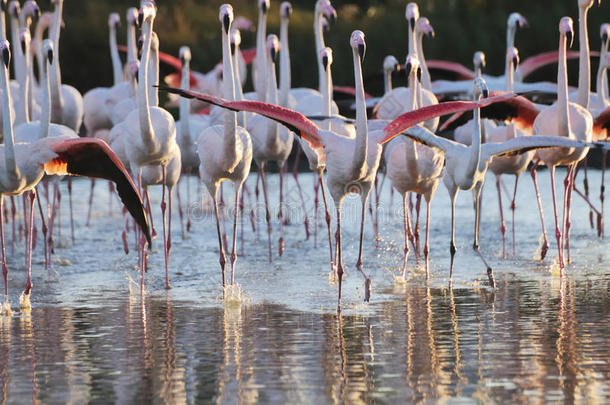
(150, 133)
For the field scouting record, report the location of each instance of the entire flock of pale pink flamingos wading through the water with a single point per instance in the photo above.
(128, 135)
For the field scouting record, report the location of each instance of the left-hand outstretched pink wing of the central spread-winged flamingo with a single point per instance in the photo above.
(293, 120)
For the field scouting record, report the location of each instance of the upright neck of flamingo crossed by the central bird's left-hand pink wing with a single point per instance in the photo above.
(230, 121)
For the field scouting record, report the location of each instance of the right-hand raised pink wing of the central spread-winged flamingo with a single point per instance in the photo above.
(411, 118)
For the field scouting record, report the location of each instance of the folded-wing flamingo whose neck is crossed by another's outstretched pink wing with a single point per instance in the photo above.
(229, 142)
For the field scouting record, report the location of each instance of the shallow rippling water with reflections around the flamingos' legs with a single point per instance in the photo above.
(89, 337)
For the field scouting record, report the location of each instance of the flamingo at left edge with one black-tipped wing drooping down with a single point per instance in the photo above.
(24, 165)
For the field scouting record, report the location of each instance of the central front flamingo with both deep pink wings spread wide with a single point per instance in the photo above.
(351, 162)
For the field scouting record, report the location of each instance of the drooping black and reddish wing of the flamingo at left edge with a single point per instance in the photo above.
(93, 157)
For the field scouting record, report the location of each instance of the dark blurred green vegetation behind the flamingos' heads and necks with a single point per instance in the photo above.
(462, 27)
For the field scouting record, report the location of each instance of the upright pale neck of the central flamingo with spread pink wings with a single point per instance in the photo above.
(362, 133)
